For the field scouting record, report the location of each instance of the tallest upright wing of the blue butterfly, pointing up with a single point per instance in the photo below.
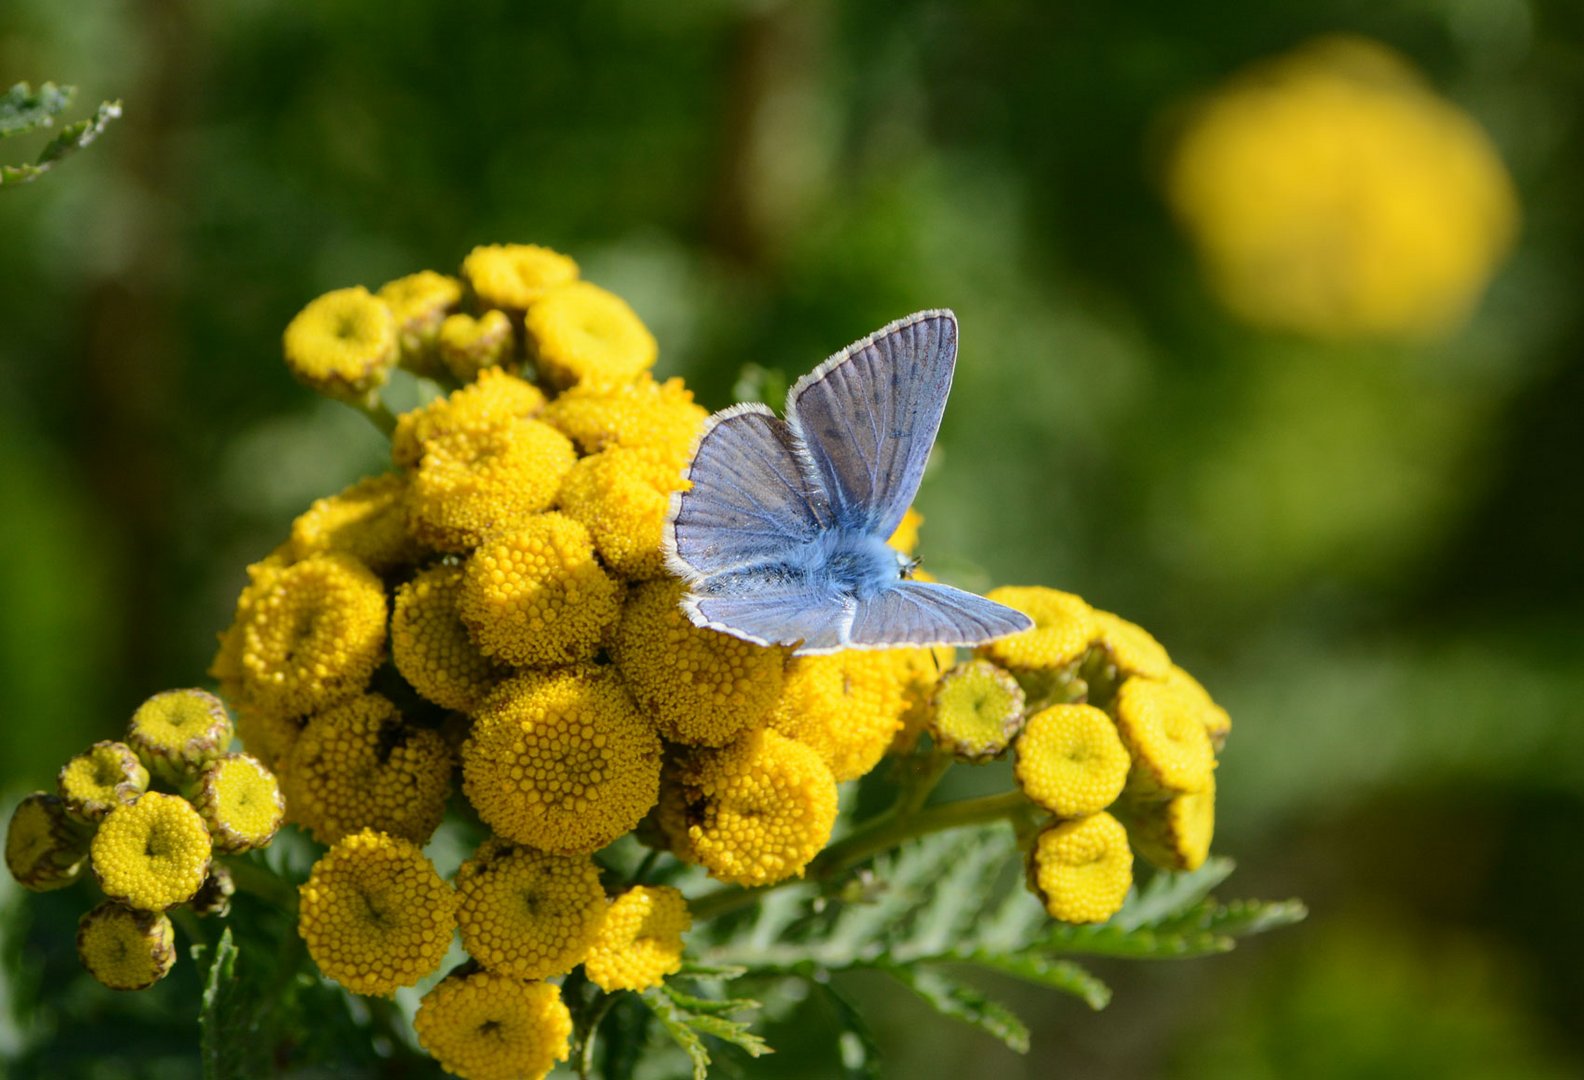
(869, 416)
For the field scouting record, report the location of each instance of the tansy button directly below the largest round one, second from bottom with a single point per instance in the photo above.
(528, 915)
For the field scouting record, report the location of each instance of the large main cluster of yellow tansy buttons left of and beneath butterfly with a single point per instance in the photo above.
(493, 617)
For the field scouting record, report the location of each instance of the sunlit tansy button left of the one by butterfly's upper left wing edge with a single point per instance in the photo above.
(481, 479)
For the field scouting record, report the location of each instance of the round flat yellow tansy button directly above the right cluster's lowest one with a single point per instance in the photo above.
(1072, 761)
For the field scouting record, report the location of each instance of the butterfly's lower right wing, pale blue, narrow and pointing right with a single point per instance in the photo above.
(931, 614)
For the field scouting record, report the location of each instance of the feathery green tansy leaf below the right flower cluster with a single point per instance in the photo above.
(954, 902)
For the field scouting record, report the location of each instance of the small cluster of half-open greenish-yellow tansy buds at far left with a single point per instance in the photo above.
(148, 850)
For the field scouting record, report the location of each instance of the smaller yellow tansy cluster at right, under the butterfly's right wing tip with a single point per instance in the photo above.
(1113, 743)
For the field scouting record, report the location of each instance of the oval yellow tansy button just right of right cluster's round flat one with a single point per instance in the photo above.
(1167, 737)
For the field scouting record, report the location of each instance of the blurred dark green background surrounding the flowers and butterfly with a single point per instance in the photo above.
(1369, 553)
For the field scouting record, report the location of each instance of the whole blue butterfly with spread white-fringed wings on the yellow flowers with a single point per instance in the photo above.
(782, 538)
